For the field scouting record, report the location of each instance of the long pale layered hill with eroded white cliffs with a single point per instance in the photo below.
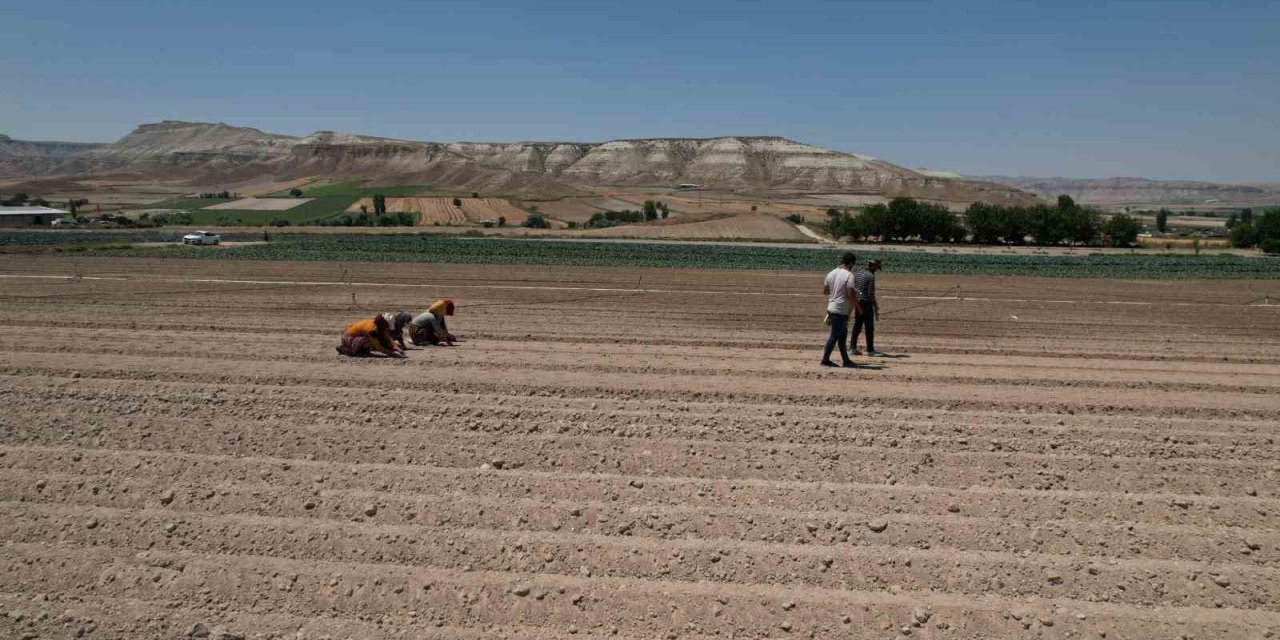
(214, 154)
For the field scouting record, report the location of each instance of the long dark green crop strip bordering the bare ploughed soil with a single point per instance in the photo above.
(464, 250)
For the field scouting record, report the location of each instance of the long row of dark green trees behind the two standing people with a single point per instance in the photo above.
(908, 220)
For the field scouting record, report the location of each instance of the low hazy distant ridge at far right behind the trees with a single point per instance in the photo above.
(1116, 193)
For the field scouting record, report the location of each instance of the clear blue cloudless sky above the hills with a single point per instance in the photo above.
(1154, 89)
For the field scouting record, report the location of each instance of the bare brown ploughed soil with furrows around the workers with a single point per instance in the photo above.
(1050, 459)
